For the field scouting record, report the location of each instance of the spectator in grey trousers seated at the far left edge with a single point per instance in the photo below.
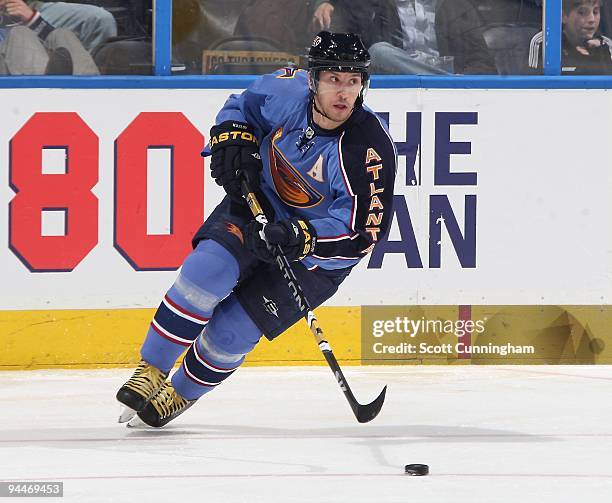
(30, 45)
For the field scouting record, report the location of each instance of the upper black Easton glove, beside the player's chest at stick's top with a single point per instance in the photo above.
(235, 156)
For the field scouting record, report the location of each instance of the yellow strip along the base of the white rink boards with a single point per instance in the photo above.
(112, 338)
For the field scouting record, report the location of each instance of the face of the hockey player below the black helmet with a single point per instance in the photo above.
(336, 96)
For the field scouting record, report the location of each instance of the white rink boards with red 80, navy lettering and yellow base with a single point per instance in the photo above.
(498, 237)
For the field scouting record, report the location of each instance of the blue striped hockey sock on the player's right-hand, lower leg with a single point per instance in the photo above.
(218, 352)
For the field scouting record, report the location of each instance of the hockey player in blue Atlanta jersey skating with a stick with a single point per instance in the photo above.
(324, 166)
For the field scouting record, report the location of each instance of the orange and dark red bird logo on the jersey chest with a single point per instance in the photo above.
(290, 185)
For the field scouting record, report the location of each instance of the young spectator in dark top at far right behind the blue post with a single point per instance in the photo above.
(584, 50)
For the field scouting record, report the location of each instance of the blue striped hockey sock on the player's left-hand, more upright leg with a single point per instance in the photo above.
(208, 275)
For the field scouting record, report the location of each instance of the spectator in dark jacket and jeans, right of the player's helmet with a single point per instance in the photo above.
(404, 36)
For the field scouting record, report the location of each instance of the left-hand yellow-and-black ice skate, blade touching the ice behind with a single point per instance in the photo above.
(134, 395)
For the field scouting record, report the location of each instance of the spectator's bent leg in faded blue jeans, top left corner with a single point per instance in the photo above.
(93, 25)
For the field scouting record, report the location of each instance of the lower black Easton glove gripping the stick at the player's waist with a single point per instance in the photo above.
(296, 237)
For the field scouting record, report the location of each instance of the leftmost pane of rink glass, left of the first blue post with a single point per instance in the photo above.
(116, 34)
